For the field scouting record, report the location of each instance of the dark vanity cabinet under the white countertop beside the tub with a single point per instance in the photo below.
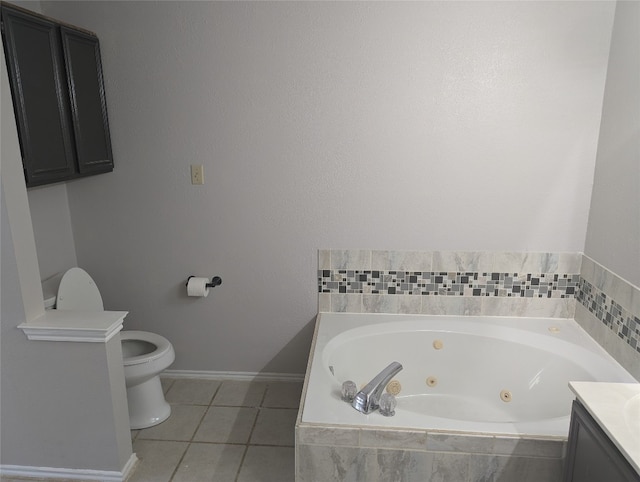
(591, 455)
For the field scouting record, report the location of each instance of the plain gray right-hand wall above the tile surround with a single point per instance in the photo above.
(613, 236)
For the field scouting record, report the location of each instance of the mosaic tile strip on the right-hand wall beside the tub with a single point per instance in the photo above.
(619, 320)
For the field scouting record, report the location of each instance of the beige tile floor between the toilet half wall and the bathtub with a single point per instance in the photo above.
(235, 431)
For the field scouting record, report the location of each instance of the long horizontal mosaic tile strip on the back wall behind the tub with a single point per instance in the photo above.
(439, 283)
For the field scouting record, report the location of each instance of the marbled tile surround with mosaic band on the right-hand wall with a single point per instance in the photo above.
(608, 308)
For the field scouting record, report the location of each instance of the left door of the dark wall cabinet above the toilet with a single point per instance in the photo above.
(40, 97)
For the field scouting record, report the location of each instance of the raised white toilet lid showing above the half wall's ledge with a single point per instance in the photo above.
(78, 291)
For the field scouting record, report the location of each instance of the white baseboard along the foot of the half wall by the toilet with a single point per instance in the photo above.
(40, 473)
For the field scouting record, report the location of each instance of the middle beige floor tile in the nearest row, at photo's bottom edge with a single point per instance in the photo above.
(210, 462)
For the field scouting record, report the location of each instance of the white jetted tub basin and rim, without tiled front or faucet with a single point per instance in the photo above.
(492, 375)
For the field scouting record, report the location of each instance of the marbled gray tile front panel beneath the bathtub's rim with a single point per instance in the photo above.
(355, 454)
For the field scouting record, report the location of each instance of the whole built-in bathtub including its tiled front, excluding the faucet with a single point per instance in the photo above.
(491, 387)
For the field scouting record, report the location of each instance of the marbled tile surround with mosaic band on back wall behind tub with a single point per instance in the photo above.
(457, 283)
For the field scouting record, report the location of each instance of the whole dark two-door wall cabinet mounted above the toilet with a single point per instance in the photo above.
(57, 87)
